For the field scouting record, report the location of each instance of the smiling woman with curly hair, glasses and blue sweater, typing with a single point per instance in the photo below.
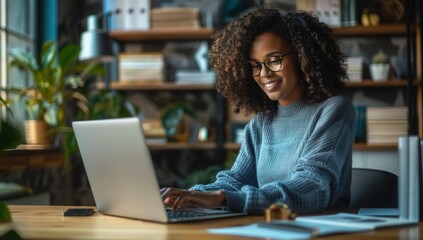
(297, 149)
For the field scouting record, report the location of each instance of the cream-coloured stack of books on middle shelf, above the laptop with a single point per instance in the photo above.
(143, 67)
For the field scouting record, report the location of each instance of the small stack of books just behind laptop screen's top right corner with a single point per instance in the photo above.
(154, 131)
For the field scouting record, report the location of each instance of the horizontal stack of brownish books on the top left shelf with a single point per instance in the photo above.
(172, 17)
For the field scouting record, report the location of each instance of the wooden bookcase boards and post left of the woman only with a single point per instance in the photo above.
(161, 36)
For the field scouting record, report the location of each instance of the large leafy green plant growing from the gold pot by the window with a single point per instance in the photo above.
(54, 93)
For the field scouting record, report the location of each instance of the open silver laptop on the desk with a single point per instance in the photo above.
(122, 174)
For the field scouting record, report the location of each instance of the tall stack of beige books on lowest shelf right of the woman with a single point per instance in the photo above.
(386, 124)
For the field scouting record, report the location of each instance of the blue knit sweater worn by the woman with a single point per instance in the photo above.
(301, 156)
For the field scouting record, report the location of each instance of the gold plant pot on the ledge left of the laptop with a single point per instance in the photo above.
(36, 133)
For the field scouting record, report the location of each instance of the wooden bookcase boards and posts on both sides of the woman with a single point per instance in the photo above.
(182, 34)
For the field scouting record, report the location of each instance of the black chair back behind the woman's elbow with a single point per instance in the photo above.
(372, 188)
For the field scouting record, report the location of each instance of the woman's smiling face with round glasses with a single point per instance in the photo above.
(279, 85)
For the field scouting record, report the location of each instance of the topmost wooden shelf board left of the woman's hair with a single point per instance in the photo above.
(163, 34)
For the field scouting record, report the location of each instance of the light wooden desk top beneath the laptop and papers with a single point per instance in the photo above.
(46, 222)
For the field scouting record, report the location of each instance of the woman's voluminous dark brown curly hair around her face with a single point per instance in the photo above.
(322, 67)
